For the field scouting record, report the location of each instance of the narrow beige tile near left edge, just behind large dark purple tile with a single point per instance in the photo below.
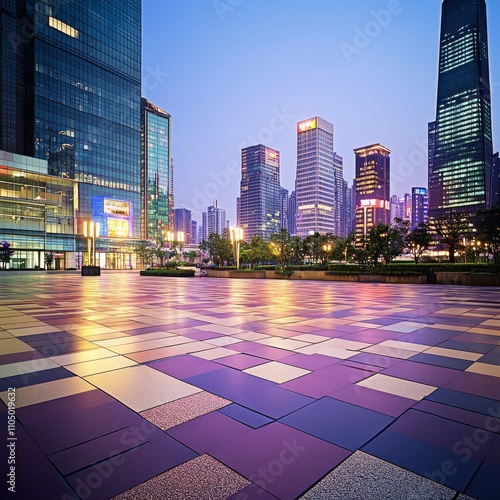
(39, 393)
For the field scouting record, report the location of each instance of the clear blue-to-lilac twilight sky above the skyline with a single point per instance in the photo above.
(234, 73)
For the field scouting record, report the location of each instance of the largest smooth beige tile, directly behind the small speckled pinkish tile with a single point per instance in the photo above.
(142, 387)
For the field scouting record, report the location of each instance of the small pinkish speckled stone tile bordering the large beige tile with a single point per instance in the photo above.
(177, 412)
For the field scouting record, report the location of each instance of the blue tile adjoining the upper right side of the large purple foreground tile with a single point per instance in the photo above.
(338, 422)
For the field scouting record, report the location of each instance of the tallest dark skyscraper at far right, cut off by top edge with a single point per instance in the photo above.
(461, 173)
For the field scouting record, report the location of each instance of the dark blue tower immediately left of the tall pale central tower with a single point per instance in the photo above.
(260, 191)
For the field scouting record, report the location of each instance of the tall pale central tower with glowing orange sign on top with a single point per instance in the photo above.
(315, 179)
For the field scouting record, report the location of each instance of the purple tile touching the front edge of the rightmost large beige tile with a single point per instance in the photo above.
(382, 402)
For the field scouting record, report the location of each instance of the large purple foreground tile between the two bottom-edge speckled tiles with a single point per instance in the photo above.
(280, 459)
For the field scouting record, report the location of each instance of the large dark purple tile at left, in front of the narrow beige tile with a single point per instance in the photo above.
(65, 422)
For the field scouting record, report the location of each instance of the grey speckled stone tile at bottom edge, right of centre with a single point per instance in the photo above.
(363, 476)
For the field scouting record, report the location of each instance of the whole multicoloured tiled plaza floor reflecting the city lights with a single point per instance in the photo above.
(173, 388)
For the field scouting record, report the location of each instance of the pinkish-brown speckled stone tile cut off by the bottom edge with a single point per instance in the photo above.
(203, 477)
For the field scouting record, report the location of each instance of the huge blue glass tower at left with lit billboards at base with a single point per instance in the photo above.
(70, 93)
